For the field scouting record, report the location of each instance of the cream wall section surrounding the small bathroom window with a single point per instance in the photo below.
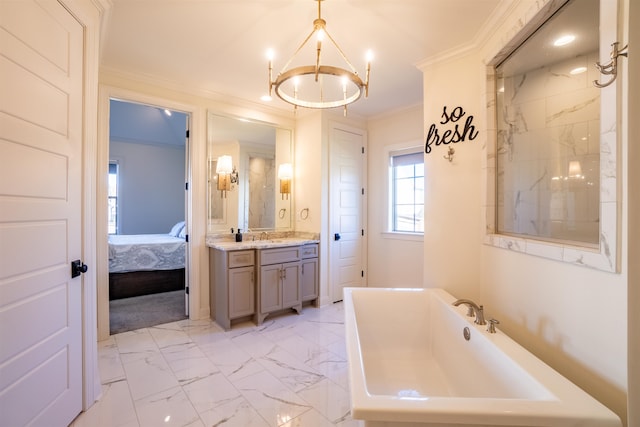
(393, 261)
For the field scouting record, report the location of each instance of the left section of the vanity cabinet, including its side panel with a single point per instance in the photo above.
(233, 287)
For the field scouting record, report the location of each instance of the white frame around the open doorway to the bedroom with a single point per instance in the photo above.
(195, 118)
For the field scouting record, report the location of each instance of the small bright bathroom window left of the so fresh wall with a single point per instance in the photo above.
(406, 184)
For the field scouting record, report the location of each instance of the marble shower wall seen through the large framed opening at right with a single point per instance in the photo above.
(548, 152)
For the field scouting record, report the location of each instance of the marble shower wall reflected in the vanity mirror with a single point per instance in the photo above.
(262, 178)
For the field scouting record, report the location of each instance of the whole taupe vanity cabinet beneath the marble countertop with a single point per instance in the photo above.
(253, 279)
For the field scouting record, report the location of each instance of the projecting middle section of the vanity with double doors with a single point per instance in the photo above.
(279, 280)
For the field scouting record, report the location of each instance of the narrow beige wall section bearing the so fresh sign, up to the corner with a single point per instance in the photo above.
(452, 241)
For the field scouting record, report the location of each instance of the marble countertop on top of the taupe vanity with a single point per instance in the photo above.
(274, 239)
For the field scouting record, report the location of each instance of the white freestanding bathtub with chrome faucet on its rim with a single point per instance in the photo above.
(410, 365)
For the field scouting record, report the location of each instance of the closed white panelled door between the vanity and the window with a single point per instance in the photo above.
(346, 267)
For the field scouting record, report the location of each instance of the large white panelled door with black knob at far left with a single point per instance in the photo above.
(41, 47)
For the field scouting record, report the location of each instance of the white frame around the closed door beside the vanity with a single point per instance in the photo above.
(334, 125)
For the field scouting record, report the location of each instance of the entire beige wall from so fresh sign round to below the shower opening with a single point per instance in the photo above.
(573, 318)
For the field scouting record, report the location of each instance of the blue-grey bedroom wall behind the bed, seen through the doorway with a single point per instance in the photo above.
(151, 186)
